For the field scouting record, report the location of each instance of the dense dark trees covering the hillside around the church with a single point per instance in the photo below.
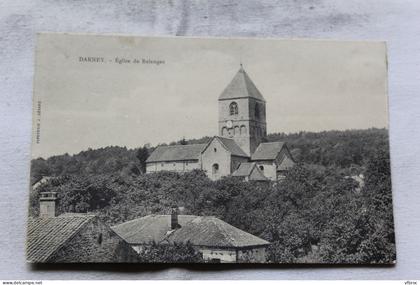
(319, 213)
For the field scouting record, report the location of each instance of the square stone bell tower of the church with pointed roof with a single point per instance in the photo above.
(242, 114)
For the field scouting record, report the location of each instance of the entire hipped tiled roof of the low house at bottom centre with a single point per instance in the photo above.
(199, 230)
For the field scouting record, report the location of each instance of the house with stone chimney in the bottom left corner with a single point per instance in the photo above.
(72, 237)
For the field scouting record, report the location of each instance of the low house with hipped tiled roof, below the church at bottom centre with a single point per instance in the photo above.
(217, 240)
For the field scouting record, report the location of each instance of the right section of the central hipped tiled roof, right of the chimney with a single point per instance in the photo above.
(213, 232)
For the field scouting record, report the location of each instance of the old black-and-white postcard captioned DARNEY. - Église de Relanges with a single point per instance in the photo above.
(195, 150)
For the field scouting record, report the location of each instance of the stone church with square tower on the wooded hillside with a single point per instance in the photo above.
(239, 150)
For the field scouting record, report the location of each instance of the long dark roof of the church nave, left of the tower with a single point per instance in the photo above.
(176, 153)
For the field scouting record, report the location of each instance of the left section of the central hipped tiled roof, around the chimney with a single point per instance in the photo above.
(149, 228)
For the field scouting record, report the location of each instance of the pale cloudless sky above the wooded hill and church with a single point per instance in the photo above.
(308, 85)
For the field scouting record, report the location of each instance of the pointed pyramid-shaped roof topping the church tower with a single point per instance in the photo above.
(241, 86)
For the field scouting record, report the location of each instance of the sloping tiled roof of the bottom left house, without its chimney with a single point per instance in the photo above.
(46, 235)
